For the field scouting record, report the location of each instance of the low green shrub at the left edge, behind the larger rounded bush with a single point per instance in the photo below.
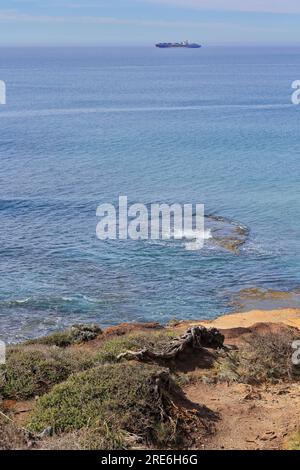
(33, 370)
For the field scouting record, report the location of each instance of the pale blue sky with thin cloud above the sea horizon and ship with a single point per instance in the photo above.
(130, 22)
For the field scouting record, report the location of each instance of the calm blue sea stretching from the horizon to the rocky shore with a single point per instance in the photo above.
(82, 126)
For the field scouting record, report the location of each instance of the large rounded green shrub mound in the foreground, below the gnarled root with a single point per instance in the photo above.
(117, 398)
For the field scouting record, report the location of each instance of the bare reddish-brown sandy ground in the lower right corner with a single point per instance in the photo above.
(249, 418)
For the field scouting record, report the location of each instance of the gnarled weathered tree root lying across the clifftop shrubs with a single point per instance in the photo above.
(196, 337)
